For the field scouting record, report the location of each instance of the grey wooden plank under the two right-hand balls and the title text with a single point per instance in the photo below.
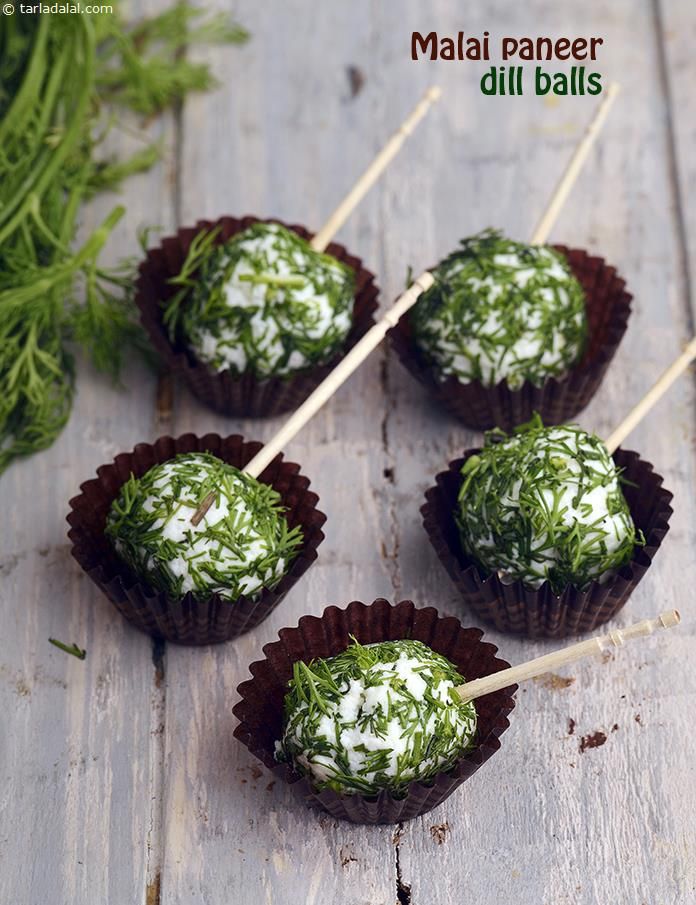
(541, 822)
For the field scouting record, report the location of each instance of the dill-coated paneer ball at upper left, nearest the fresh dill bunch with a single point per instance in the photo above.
(266, 303)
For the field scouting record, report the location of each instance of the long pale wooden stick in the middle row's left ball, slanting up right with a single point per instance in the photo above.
(340, 373)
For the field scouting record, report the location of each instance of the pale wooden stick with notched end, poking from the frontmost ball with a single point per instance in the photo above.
(487, 684)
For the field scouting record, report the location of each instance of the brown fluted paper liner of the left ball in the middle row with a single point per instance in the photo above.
(185, 620)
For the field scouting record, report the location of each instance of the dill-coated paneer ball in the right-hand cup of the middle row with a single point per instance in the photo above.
(545, 504)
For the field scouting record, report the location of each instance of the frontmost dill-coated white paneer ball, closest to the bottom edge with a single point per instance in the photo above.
(374, 717)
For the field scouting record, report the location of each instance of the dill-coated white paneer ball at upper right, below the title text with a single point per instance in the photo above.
(502, 309)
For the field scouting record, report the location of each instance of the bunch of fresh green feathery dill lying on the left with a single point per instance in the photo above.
(61, 76)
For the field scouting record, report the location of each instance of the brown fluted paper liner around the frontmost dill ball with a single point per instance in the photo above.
(260, 710)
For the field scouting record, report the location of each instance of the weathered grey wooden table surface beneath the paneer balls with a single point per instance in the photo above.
(121, 781)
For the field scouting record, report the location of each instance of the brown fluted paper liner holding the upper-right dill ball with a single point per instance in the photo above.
(558, 399)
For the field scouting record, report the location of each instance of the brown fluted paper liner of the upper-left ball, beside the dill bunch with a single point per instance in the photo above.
(242, 396)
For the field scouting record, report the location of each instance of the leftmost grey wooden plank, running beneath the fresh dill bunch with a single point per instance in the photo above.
(80, 750)
